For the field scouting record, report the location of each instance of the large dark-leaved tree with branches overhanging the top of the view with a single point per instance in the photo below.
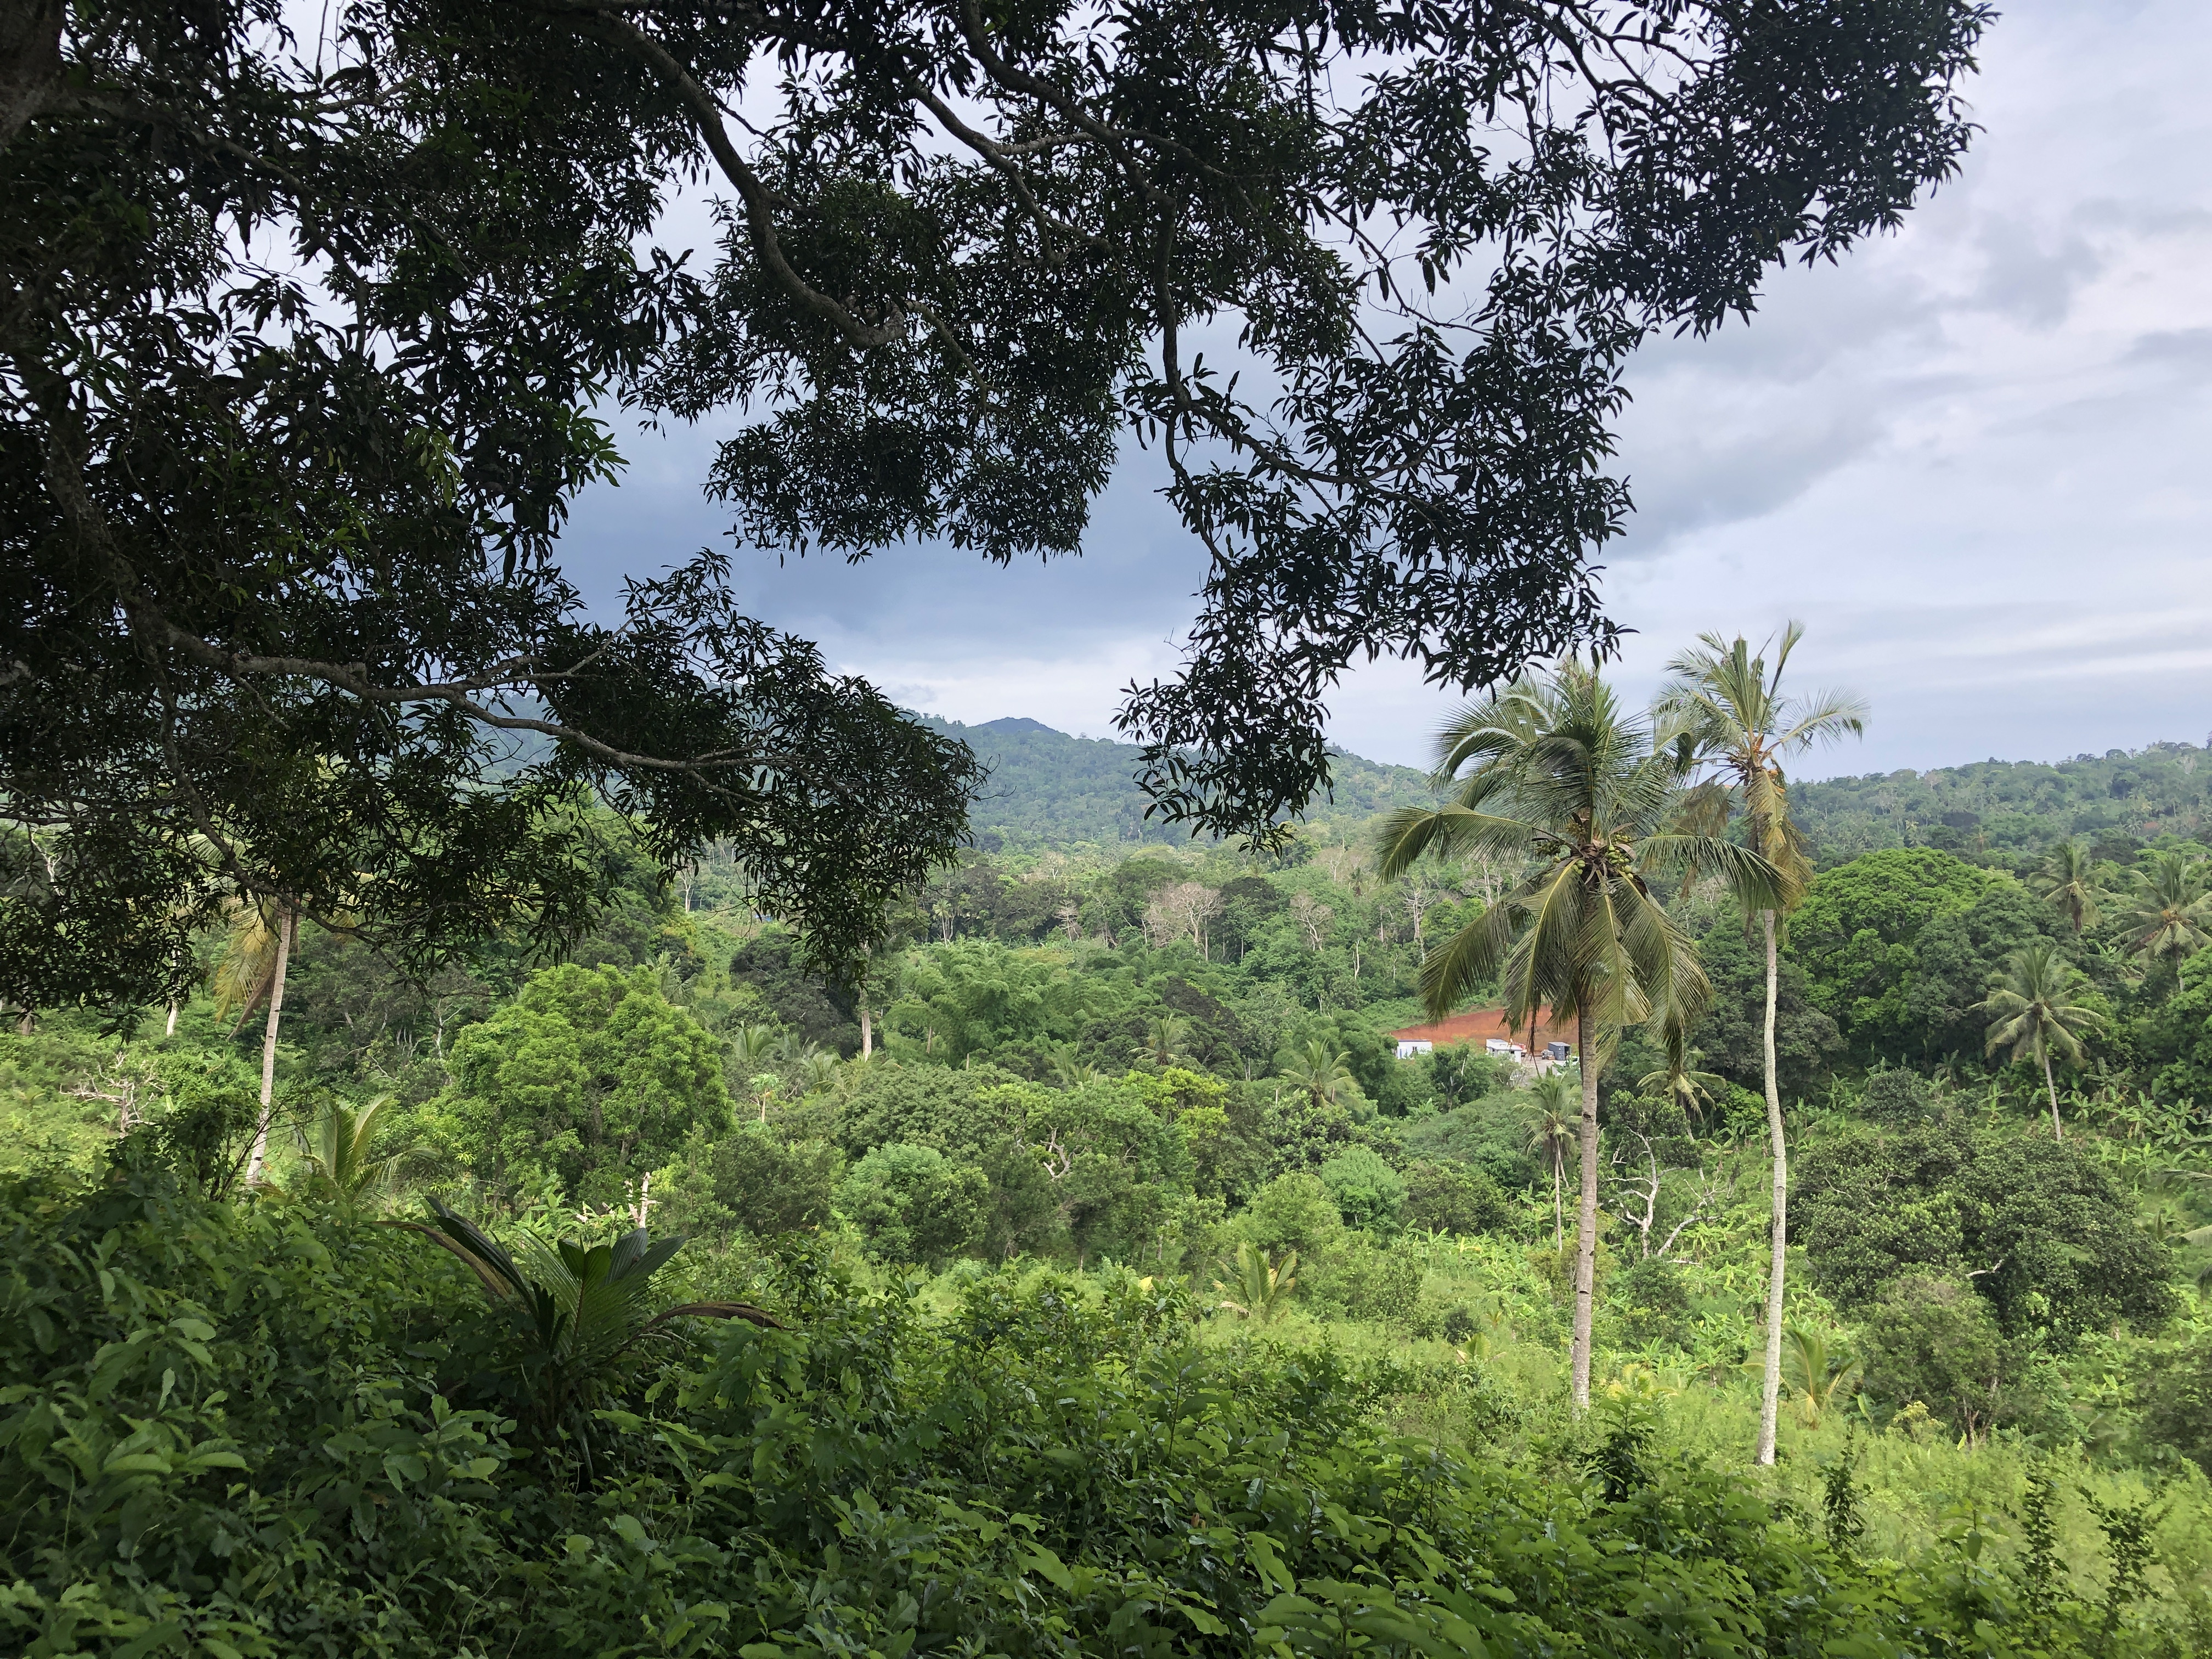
(262, 505)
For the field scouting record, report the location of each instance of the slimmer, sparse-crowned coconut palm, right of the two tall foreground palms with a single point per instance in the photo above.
(1729, 718)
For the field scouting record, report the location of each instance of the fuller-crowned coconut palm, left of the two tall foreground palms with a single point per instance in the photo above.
(1556, 771)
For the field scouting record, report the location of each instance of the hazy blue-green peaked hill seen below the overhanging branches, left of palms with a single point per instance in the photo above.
(1056, 791)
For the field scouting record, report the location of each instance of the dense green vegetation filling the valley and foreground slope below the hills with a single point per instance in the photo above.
(1131, 1284)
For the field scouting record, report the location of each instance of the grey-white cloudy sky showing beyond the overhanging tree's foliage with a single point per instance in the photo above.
(1974, 461)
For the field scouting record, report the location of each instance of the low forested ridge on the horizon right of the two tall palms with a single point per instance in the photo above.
(2118, 800)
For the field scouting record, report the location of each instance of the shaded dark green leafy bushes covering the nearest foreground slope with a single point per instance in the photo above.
(262, 1430)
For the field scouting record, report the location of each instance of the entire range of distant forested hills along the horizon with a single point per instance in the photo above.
(1056, 791)
